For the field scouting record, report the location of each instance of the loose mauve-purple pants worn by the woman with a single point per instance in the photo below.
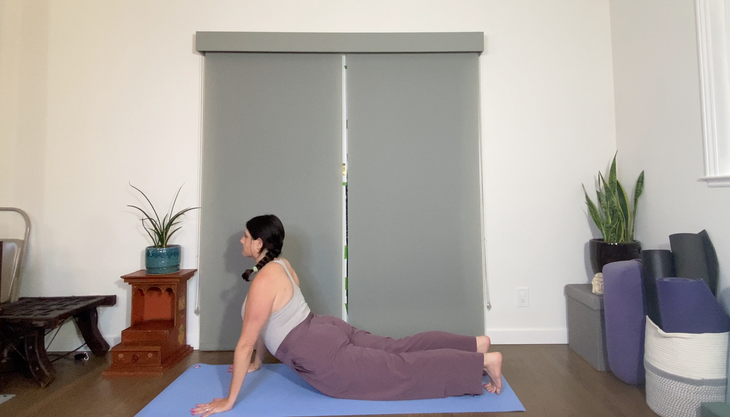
(344, 362)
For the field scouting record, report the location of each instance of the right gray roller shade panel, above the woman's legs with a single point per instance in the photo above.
(415, 260)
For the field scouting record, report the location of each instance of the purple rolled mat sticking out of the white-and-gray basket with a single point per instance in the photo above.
(687, 306)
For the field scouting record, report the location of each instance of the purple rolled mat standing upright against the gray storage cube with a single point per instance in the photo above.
(625, 312)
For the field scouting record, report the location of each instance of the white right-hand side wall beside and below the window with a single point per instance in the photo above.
(659, 127)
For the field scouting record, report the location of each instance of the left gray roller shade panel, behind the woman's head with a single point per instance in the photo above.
(271, 144)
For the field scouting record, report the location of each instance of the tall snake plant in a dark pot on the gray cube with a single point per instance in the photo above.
(615, 218)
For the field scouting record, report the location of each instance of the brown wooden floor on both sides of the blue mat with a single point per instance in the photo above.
(550, 380)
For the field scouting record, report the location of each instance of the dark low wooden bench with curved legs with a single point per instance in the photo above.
(24, 324)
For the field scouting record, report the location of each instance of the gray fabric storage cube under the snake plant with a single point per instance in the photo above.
(586, 324)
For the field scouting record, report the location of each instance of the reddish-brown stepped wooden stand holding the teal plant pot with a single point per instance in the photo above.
(155, 341)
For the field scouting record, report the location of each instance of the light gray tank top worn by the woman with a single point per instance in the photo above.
(281, 322)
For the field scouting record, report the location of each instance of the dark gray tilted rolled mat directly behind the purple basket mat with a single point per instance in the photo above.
(695, 257)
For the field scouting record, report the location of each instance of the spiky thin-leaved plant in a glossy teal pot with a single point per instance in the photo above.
(161, 257)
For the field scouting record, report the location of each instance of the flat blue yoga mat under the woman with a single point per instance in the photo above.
(276, 391)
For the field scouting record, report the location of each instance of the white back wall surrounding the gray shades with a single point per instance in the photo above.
(94, 95)
